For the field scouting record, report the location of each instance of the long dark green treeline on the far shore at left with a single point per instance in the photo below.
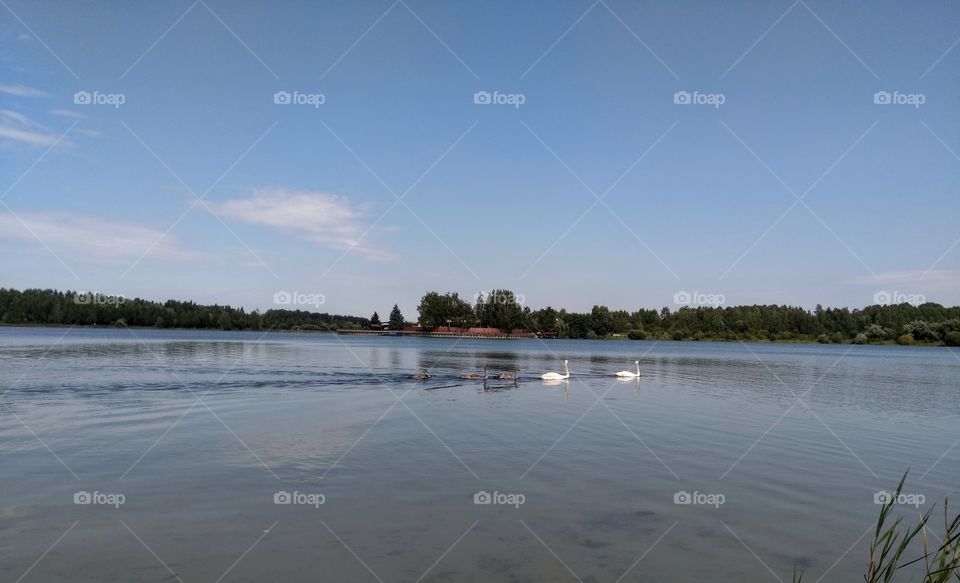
(50, 307)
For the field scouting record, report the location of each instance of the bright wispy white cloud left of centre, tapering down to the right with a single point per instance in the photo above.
(328, 220)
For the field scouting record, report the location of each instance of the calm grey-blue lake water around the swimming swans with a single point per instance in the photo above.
(151, 455)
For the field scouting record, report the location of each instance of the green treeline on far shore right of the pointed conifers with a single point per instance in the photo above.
(903, 323)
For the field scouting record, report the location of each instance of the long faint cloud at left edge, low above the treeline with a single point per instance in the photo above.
(92, 238)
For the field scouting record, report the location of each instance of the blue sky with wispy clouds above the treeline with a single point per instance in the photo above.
(304, 196)
